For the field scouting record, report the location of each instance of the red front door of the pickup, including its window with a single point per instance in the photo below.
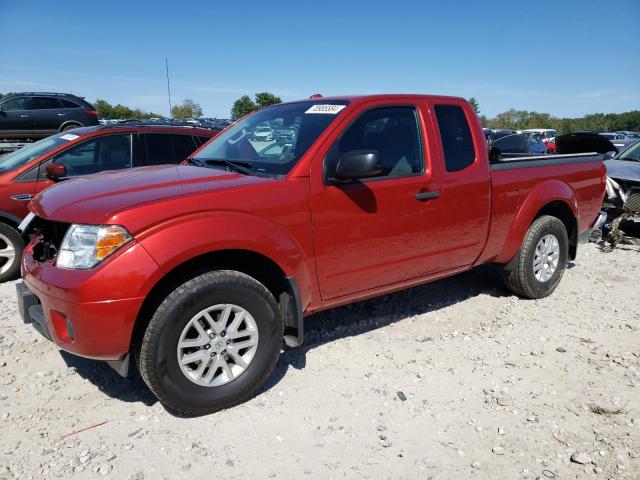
(378, 231)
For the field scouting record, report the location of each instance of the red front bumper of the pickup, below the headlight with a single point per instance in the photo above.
(90, 313)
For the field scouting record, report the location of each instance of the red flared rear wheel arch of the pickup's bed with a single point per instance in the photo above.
(543, 194)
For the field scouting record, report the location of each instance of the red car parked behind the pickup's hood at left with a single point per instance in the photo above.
(83, 151)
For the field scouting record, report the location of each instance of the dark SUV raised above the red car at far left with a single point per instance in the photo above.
(35, 115)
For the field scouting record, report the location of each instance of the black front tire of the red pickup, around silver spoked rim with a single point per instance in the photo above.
(158, 355)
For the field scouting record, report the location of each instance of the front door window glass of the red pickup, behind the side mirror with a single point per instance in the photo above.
(392, 131)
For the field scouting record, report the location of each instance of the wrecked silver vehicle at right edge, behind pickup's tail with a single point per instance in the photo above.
(622, 201)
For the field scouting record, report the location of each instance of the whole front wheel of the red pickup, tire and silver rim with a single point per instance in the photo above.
(211, 343)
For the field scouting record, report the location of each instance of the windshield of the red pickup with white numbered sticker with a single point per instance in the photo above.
(271, 154)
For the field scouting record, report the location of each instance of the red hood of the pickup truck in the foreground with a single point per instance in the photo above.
(94, 198)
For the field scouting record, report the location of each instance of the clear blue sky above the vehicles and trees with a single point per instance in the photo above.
(567, 58)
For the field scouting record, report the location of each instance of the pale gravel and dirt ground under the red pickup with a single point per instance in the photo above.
(457, 379)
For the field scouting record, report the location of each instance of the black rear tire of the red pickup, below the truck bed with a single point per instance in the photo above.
(520, 276)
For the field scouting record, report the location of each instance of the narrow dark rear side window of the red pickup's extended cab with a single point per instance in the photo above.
(457, 143)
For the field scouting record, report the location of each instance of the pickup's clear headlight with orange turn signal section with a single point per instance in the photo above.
(84, 246)
